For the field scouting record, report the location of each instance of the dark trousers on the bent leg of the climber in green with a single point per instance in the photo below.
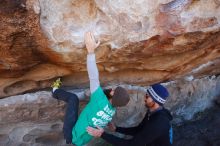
(71, 114)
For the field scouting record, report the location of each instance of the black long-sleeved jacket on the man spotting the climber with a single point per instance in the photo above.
(152, 131)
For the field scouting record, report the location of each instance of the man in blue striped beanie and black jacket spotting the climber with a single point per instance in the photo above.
(154, 130)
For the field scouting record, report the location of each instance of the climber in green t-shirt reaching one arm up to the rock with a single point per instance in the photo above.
(101, 107)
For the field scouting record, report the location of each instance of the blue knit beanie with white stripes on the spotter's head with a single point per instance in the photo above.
(158, 93)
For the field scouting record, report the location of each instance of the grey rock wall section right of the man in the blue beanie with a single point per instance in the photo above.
(191, 97)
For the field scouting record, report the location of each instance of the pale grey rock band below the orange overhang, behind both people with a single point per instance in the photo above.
(187, 98)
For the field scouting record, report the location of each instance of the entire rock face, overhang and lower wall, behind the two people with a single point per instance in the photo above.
(142, 42)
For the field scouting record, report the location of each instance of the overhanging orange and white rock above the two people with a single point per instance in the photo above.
(142, 42)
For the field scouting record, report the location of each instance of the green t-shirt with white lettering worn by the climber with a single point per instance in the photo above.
(98, 112)
